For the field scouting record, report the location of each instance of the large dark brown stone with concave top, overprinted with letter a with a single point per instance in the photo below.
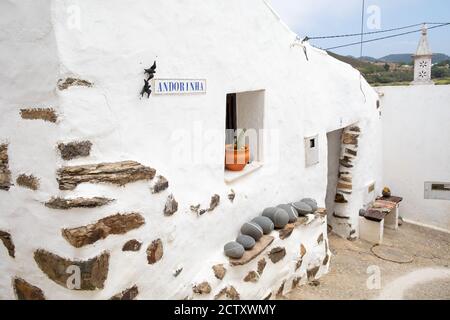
(93, 272)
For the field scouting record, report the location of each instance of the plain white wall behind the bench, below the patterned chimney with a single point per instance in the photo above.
(416, 148)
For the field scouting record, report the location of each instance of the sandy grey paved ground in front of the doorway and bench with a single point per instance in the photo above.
(426, 277)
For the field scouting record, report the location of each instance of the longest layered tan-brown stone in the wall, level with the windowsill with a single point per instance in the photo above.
(119, 173)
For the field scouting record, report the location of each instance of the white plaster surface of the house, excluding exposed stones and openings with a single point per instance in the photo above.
(236, 46)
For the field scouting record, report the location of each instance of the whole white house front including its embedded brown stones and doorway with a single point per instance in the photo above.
(105, 192)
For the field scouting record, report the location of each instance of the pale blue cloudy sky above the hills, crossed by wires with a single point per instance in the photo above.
(329, 17)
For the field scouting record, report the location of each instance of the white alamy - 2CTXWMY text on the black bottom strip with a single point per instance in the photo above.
(227, 310)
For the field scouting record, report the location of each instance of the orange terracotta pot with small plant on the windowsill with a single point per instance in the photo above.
(237, 155)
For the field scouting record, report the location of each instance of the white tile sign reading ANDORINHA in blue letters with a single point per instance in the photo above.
(179, 86)
